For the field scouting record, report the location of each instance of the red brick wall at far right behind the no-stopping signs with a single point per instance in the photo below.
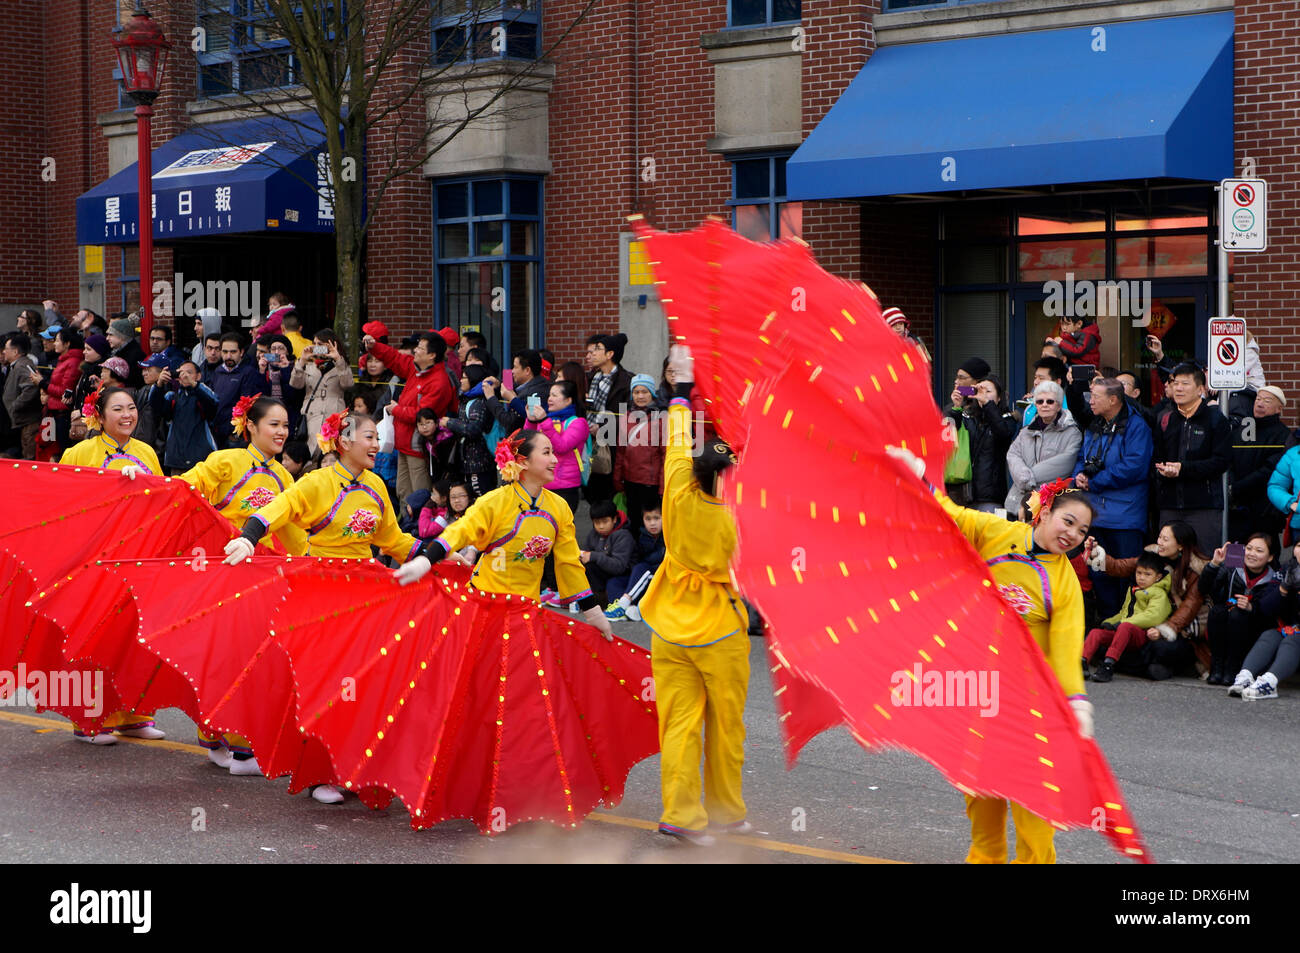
(1267, 97)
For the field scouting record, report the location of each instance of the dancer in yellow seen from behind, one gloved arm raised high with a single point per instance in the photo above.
(701, 643)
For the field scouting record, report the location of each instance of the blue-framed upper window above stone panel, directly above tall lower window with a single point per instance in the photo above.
(487, 31)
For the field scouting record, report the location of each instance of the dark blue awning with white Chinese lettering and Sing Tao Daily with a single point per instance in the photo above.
(255, 175)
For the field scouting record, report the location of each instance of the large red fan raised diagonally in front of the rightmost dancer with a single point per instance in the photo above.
(860, 573)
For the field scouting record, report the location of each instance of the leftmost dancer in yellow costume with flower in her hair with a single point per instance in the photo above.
(112, 411)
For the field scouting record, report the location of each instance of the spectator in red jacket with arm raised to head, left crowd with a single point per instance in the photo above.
(427, 385)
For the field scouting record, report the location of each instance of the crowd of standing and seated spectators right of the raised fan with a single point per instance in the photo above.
(1168, 591)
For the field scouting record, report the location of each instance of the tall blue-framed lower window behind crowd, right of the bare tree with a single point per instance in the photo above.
(488, 253)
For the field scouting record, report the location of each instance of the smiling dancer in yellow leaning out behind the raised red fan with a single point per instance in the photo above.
(1033, 571)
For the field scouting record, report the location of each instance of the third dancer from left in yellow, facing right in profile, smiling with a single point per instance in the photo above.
(344, 510)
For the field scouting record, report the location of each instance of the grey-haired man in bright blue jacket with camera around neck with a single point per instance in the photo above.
(1115, 469)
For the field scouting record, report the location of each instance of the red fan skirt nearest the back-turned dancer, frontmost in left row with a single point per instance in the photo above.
(460, 703)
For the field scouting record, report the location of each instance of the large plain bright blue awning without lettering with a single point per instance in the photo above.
(1143, 99)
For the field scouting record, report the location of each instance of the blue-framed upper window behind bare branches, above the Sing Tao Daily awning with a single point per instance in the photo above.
(244, 50)
